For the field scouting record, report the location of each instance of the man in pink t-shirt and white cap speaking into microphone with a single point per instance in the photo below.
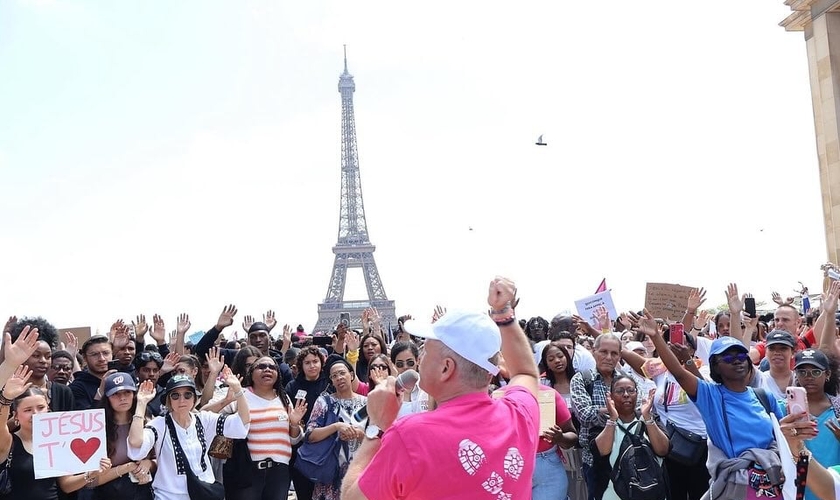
(471, 446)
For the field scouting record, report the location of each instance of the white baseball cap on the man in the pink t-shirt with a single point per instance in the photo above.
(474, 336)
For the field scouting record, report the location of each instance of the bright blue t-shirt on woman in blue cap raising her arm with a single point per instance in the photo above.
(749, 425)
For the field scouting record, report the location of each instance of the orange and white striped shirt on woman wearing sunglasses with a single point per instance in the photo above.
(268, 435)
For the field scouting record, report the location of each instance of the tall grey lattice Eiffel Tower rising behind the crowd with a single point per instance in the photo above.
(354, 248)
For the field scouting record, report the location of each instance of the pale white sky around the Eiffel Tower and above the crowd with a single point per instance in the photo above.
(175, 156)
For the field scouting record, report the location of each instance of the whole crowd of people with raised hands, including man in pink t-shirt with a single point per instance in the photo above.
(718, 405)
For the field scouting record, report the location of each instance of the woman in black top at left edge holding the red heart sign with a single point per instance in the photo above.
(16, 449)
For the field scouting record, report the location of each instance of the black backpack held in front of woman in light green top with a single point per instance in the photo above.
(637, 473)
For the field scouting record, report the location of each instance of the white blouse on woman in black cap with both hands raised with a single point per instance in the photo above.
(168, 484)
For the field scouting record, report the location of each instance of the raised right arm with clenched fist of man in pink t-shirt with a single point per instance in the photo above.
(519, 358)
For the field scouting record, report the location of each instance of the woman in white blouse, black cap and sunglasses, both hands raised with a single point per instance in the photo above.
(182, 438)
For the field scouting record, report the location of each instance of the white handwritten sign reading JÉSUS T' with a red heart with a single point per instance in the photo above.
(68, 442)
